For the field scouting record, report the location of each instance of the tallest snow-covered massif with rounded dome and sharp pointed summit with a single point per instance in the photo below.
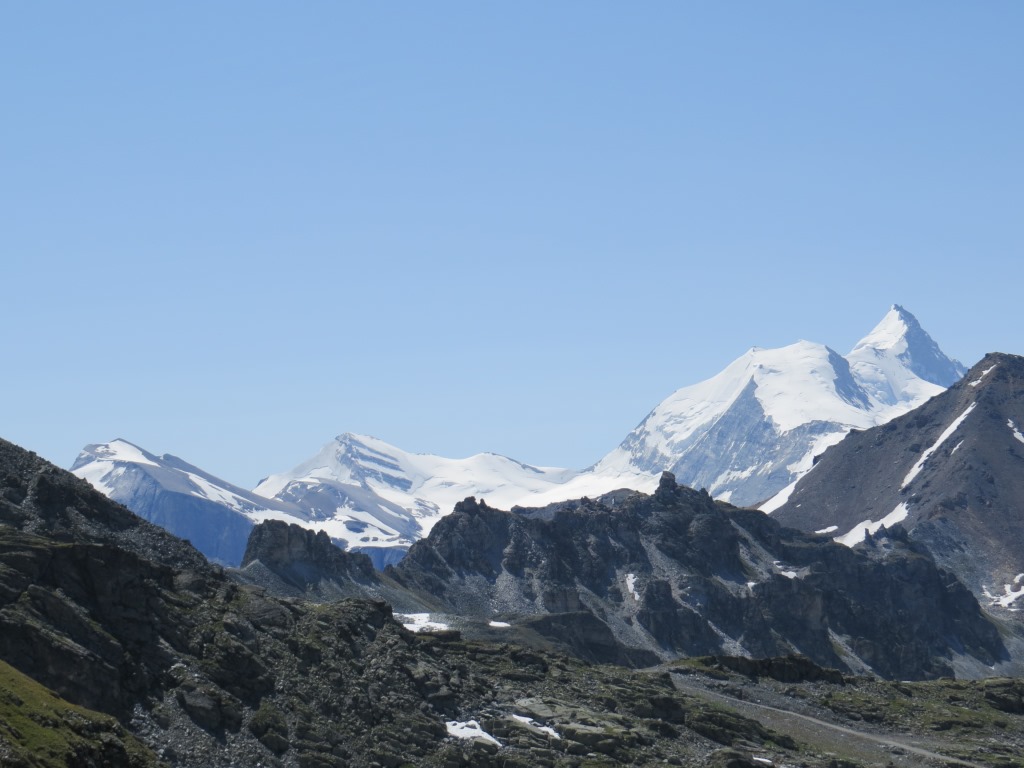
(751, 432)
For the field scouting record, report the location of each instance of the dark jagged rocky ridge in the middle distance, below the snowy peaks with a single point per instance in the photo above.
(677, 574)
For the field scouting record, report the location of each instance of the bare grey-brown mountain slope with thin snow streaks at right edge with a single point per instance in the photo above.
(966, 497)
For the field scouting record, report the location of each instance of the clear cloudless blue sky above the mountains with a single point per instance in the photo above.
(232, 231)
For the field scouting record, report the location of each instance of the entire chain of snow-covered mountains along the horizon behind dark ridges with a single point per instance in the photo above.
(746, 435)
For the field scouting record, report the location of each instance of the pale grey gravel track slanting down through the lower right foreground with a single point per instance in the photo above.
(827, 737)
